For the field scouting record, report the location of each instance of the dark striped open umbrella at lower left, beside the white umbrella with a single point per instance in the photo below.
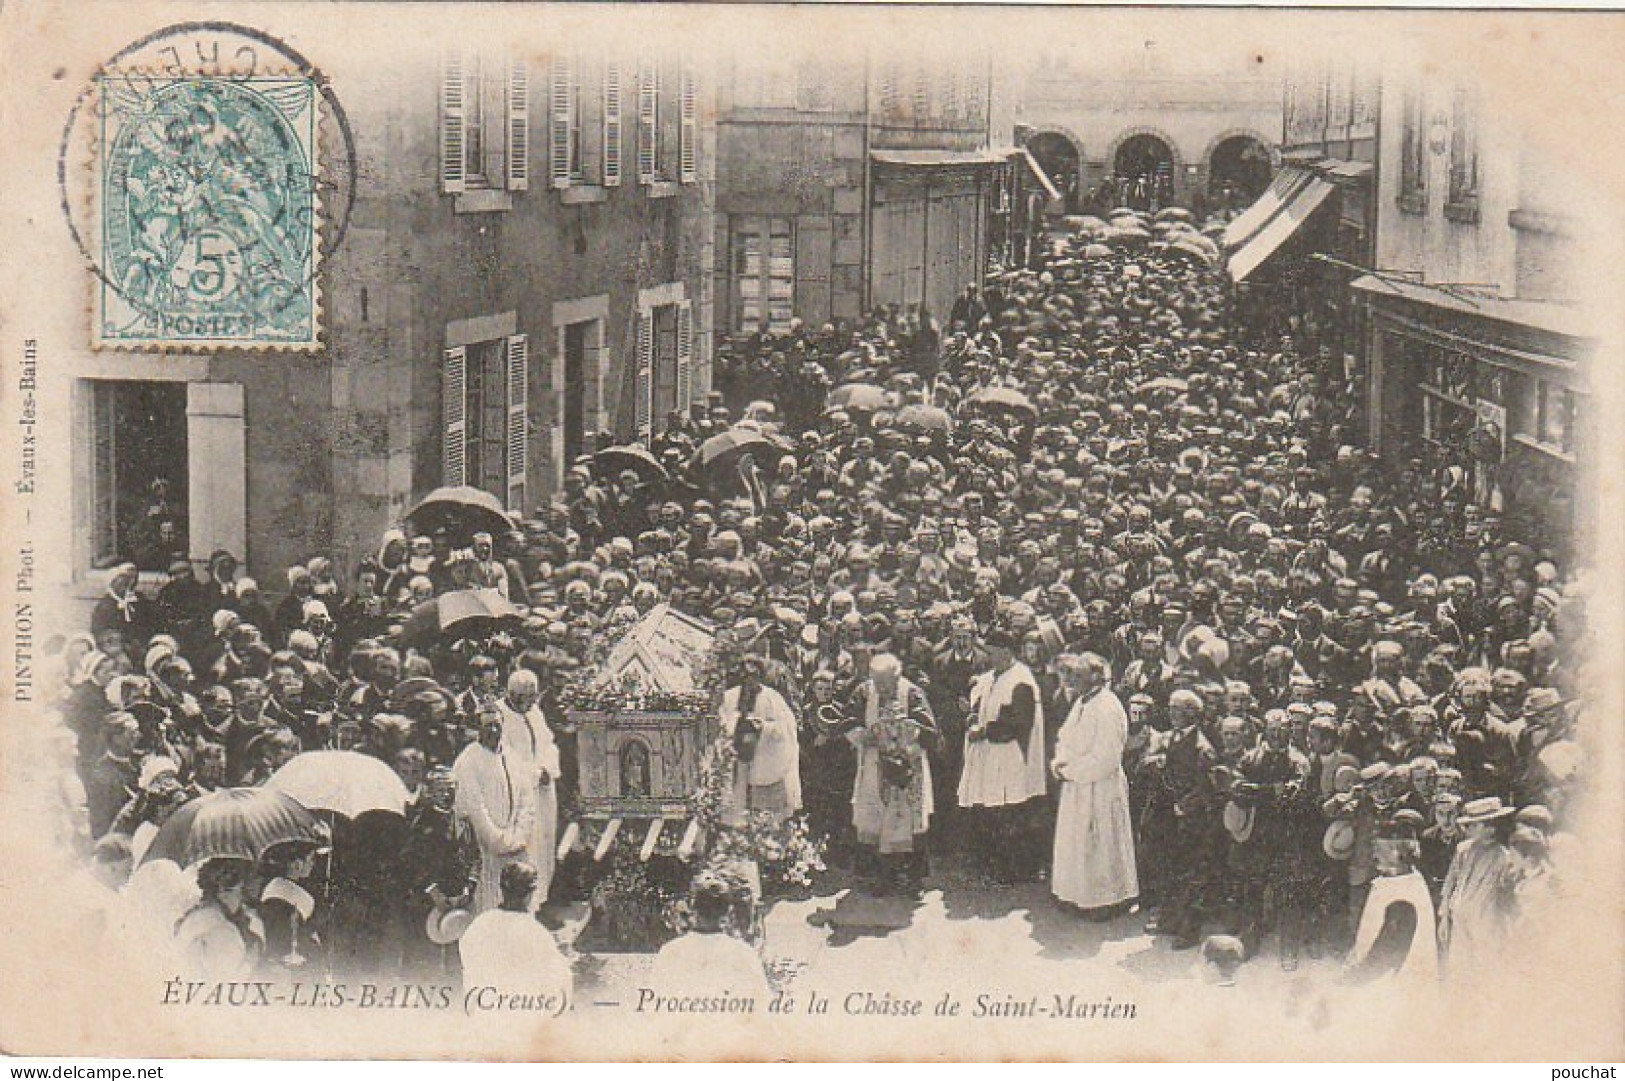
(233, 823)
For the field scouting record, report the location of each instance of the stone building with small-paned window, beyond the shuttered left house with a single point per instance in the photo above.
(849, 183)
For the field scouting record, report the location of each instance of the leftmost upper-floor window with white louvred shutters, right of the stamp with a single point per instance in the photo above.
(485, 126)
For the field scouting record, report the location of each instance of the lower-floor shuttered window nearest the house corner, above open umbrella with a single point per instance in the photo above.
(487, 430)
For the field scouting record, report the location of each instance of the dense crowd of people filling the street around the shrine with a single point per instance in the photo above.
(1098, 589)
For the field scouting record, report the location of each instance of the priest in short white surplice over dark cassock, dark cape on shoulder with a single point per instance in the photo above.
(1005, 763)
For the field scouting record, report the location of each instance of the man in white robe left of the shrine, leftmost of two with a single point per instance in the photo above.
(498, 799)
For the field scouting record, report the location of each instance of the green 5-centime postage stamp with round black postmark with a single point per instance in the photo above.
(209, 212)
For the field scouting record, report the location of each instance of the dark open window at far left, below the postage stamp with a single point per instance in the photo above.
(139, 472)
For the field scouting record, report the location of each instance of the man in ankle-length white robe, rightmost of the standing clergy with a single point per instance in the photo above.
(1094, 838)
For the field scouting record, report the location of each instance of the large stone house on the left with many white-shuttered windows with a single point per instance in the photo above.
(529, 261)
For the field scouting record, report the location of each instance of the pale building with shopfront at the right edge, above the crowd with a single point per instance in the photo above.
(1478, 345)
